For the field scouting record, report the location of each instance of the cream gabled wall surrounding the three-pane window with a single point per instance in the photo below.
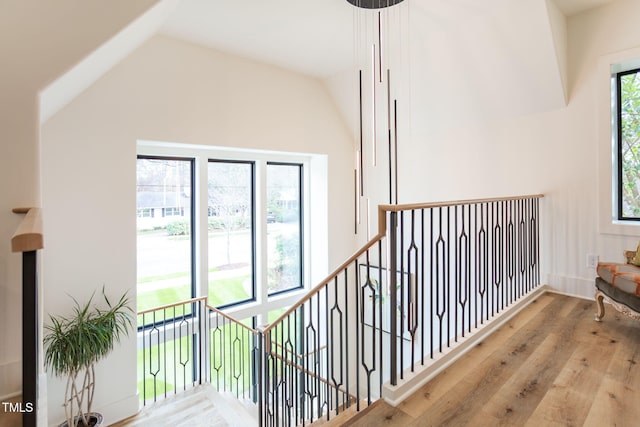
(166, 91)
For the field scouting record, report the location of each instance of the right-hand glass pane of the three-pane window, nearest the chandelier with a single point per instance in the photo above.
(284, 255)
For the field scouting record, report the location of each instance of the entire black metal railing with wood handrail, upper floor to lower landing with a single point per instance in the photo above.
(430, 281)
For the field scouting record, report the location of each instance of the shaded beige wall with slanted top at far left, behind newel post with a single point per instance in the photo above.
(38, 42)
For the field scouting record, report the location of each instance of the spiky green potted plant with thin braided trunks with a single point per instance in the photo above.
(74, 344)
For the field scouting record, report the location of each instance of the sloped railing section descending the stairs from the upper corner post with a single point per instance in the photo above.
(338, 329)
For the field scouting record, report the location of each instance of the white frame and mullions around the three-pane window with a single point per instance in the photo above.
(315, 214)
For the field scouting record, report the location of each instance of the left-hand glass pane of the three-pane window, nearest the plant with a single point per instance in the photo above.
(164, 239)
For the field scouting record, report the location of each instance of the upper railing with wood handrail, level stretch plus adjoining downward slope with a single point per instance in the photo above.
(435, 273)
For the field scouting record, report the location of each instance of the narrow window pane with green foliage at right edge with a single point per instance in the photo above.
(629, 135)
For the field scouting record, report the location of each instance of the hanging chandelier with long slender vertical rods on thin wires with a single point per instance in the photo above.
(378, 47)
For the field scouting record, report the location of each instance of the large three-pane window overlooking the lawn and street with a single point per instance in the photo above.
(228, 228)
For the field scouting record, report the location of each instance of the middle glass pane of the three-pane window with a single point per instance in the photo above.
(230, 208)
